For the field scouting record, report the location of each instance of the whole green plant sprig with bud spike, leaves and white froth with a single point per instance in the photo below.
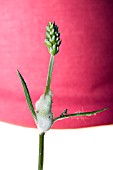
(43, 115)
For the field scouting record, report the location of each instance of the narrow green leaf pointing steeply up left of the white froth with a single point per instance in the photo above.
(27, 95)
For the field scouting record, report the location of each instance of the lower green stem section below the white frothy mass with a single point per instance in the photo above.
(41, 151)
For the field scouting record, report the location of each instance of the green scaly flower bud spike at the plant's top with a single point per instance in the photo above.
(52, 40)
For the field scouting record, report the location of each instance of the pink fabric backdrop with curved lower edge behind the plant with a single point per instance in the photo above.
(82, 76)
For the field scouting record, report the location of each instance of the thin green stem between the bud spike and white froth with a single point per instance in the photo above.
(49, 76)
